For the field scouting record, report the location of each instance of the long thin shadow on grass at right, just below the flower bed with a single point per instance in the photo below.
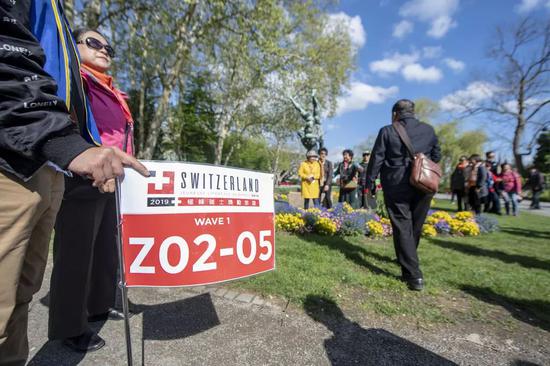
(522, 260)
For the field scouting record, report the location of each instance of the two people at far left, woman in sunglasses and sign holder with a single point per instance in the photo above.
(66, 133)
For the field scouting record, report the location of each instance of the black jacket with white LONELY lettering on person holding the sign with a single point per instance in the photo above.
(34, 122)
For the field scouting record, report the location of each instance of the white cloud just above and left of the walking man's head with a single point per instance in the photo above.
(360, 95)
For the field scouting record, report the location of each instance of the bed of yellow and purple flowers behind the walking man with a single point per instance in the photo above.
(344, 220)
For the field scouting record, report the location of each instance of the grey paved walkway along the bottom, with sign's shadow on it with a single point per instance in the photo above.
(216, 326)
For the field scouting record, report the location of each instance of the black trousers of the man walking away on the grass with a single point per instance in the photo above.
(407, 209)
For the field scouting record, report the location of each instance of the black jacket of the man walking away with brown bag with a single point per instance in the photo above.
(390, 159)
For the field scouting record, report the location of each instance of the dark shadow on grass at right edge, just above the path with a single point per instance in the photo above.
(533, 312)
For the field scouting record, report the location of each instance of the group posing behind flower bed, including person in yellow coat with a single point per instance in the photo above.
(317, 174)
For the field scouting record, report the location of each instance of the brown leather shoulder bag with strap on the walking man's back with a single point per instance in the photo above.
(425, 174)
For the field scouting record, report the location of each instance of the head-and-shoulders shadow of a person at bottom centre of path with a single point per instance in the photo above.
(353, 345)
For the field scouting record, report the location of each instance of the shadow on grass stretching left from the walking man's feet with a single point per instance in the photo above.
(353, 252)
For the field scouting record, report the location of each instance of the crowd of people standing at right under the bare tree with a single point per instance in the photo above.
(480, 185)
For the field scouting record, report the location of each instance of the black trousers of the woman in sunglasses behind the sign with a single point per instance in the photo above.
(84, 275)
